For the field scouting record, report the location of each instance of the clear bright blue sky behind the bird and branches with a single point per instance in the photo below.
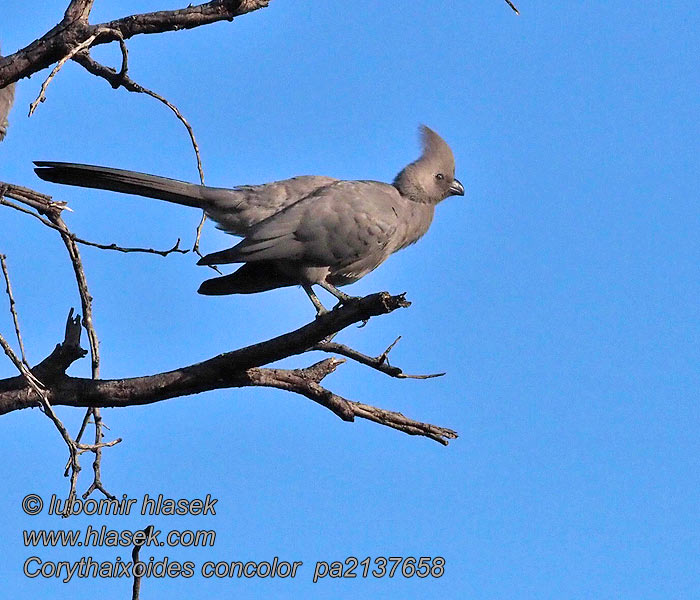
(560, 295)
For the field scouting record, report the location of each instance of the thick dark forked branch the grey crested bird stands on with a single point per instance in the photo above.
(239, 368)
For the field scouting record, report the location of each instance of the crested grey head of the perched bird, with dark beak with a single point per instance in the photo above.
(431, 178)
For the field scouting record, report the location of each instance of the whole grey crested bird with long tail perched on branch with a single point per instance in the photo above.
(307, 230)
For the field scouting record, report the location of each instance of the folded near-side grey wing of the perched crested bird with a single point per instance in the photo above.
(335, 226)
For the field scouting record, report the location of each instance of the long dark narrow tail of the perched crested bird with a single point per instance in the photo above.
(120, 180)
